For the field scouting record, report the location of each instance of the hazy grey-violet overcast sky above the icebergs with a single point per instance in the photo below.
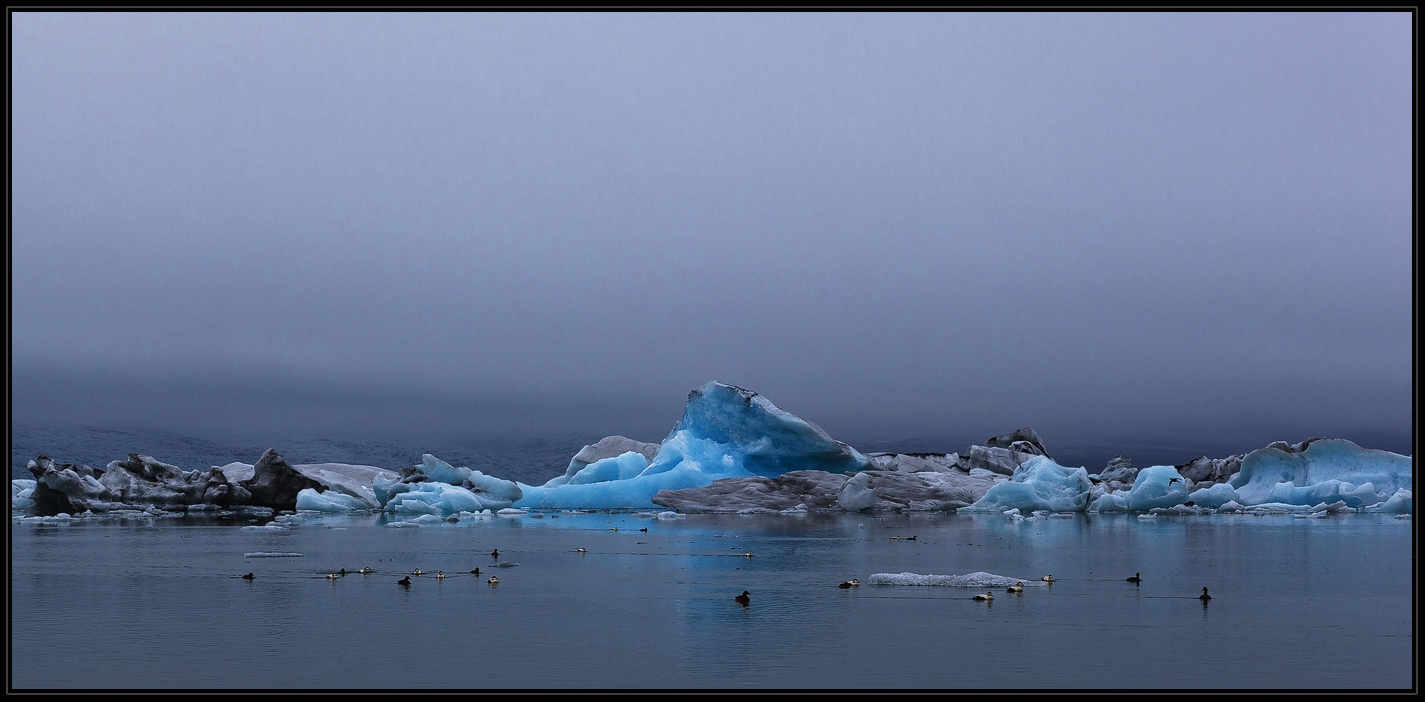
(1183, 231)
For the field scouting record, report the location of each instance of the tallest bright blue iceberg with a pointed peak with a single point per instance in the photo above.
(726, 432)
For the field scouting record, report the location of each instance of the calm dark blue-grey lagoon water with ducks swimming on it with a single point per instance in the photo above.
(159, 603)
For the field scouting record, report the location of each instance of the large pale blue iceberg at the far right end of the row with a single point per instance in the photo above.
(1322, 471)
